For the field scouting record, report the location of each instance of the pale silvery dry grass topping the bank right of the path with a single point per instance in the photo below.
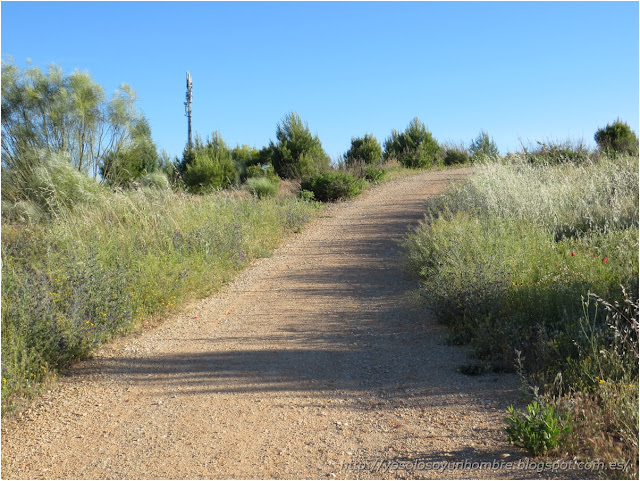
(566, 200)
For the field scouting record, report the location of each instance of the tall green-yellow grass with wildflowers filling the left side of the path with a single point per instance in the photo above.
(95, 271)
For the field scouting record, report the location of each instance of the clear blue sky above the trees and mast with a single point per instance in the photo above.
(521, 71)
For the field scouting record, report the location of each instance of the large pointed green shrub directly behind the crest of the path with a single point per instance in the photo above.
(415, 147)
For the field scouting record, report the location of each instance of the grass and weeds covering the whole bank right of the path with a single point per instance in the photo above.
(533, 263)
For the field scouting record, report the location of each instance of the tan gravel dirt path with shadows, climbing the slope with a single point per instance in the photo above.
(311, 364)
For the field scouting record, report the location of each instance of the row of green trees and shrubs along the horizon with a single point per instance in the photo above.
(63, 126)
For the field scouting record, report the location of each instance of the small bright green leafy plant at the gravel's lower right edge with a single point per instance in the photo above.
(538, 430)
